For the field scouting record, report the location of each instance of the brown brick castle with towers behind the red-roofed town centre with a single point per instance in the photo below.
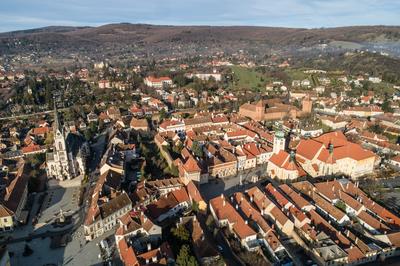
(274, 109)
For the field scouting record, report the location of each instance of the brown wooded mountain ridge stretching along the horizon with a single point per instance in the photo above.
(142, 39)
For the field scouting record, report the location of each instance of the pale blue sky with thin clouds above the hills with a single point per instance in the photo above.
(27, 14)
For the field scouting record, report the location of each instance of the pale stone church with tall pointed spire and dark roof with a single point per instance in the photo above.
(69, 155)
